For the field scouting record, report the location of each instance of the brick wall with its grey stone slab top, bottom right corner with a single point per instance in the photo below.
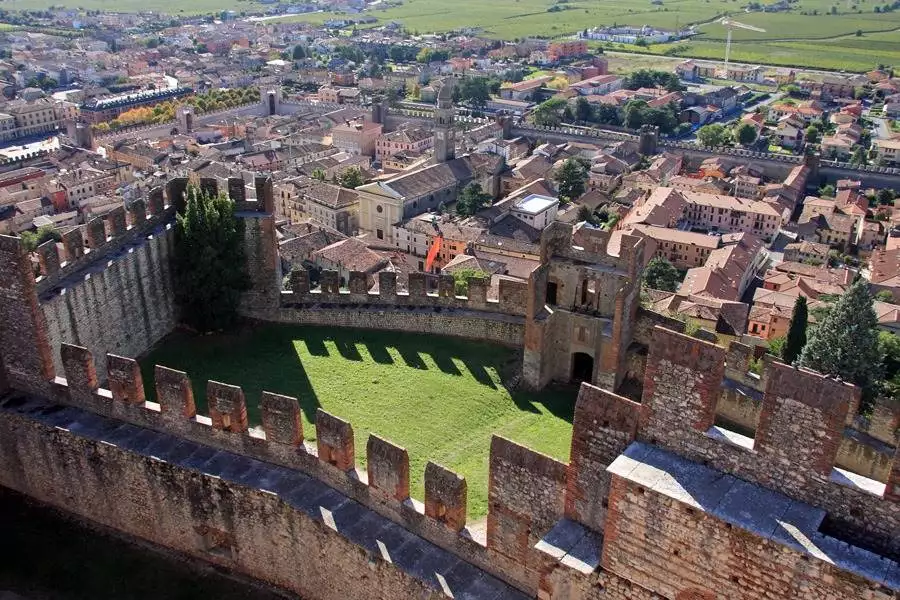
(702, 541)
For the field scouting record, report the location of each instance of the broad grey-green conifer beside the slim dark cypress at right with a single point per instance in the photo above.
(845, 342)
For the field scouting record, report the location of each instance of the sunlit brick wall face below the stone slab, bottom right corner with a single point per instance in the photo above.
(680, 552)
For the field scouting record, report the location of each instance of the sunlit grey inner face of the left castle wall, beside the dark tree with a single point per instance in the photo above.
(121, 307)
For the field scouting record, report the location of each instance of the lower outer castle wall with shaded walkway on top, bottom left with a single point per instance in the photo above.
(280, 527)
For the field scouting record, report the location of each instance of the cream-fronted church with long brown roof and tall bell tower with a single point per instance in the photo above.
(383, 204)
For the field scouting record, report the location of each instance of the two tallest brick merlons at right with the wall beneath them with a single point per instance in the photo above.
(795, 446)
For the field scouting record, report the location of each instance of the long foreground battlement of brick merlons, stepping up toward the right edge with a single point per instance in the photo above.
(550, 524)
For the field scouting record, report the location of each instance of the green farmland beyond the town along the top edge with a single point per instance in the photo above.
(816, 39)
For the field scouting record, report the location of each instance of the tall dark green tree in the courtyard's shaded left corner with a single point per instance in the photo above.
(209, 263)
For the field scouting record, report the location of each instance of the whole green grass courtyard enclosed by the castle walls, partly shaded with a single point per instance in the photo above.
(439, 397)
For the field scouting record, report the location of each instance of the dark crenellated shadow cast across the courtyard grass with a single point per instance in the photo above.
(266, 358)
